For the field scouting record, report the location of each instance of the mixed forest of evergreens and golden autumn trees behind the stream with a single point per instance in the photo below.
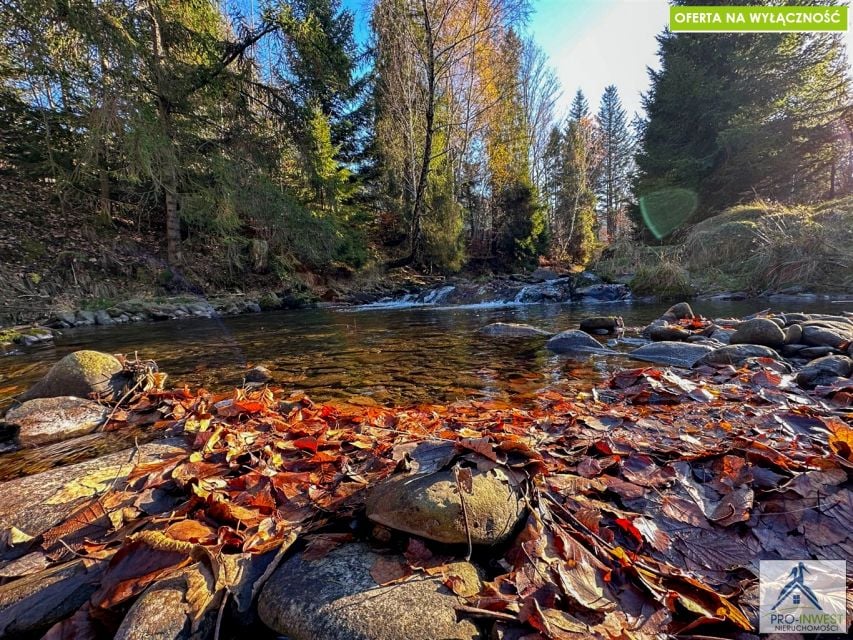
(273, 142)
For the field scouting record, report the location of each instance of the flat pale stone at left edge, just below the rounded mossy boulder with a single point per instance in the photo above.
(43, 420)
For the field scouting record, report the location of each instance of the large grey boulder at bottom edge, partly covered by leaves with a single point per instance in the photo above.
(337, 598)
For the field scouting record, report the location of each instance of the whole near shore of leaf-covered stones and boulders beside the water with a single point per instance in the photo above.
(585, 516)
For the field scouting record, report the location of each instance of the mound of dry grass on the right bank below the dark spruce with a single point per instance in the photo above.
(756, 247)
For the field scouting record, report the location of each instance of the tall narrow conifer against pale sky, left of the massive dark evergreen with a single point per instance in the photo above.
(617, 149)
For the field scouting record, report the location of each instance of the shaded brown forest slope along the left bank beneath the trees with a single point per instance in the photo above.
(59, 259)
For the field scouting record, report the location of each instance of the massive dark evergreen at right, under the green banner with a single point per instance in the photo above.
(731, 117)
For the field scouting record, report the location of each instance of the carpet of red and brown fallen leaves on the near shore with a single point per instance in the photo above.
(651, 500)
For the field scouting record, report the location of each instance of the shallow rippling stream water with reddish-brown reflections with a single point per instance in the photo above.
(401, 356)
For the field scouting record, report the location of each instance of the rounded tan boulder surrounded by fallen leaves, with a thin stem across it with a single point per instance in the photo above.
(430, 505)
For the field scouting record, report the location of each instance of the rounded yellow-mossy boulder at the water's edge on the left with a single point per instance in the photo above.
(80, 374)
